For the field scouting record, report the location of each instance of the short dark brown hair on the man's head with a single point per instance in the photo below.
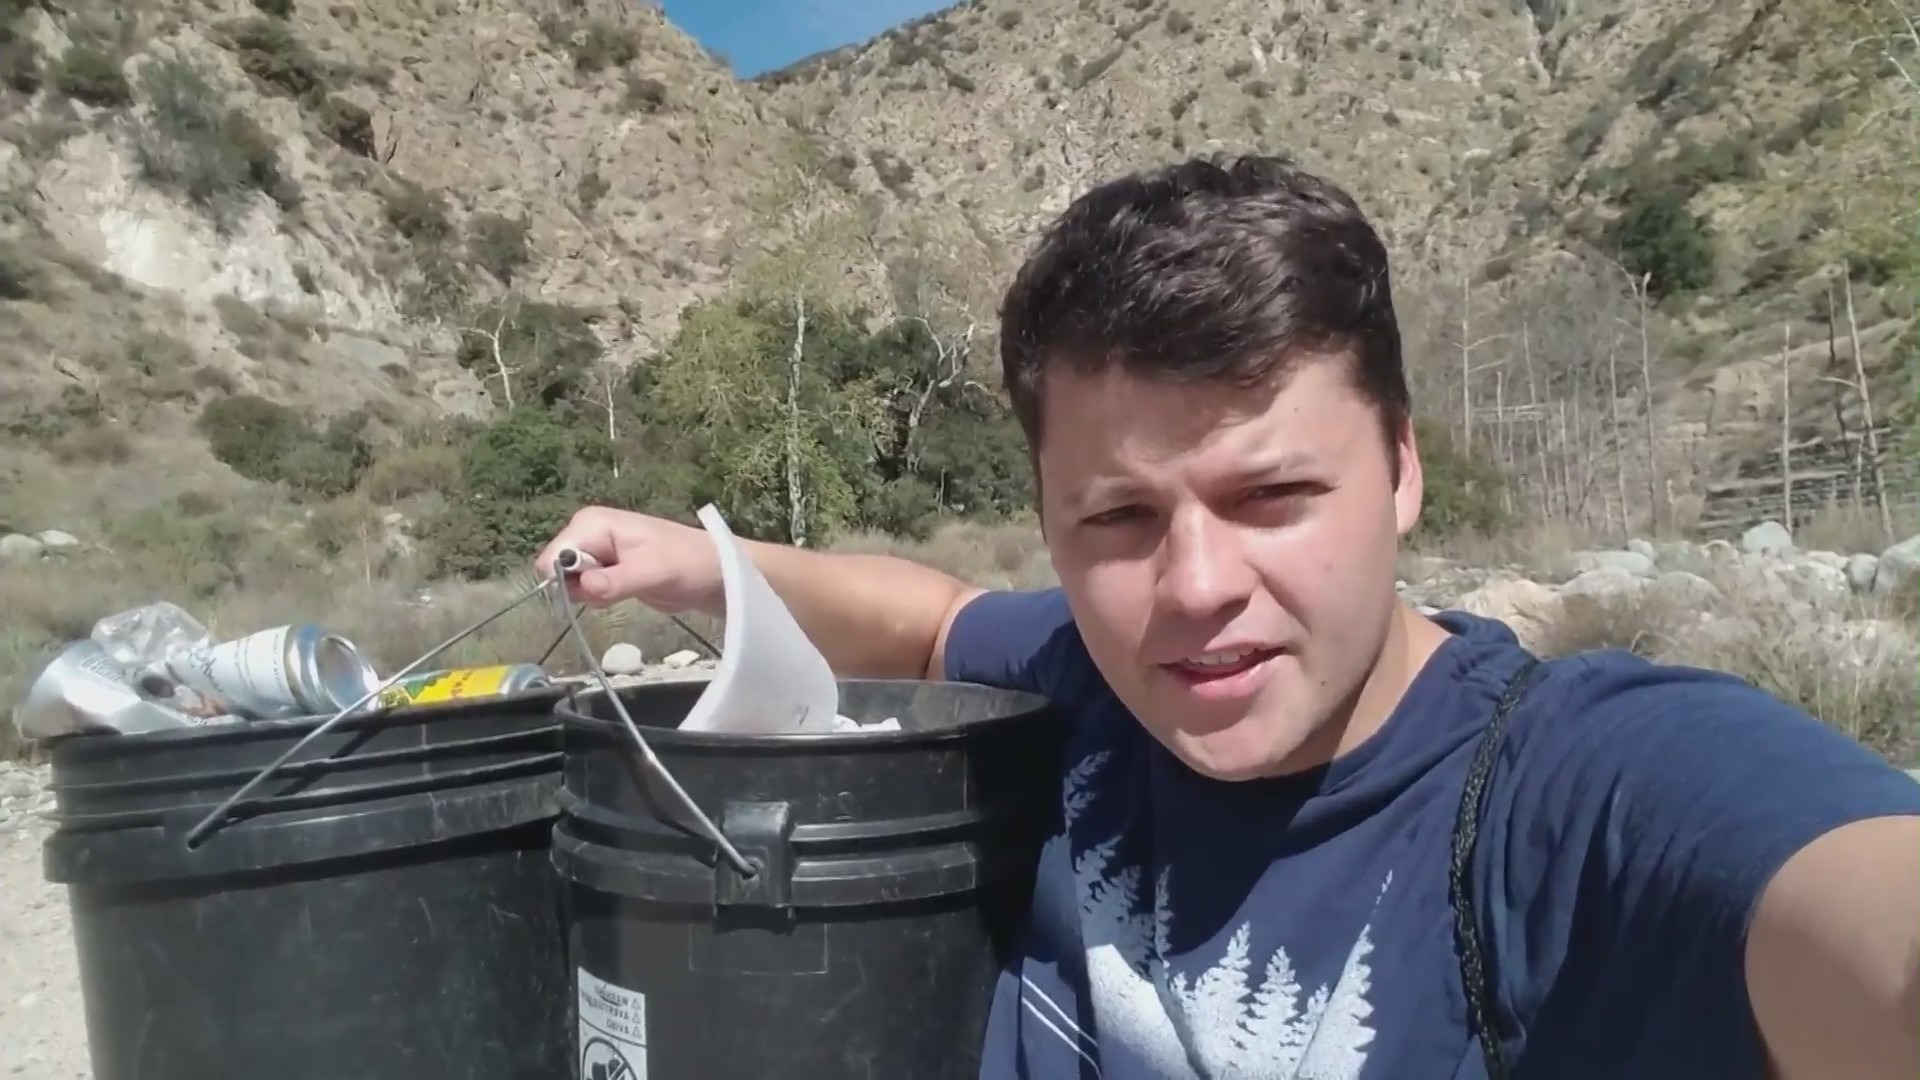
(1205, 272)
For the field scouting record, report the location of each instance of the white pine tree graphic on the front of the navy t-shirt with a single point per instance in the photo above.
(1226, 1023)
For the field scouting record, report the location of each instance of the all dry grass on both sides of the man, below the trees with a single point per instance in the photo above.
(245, 570)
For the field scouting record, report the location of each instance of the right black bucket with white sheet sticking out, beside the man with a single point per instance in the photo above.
(894, 873)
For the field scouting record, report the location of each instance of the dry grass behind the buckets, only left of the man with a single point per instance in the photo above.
(243, 570)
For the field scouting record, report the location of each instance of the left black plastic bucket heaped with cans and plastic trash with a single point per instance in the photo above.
(385, 906)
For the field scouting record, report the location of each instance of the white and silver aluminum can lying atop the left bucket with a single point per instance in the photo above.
(287, 672)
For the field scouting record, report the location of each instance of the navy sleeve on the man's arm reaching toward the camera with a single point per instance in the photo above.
(1666, 800)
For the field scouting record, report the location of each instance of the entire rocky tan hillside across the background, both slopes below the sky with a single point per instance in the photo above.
(324, 203)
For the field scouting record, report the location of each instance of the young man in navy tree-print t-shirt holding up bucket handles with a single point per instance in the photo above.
(1669, 875)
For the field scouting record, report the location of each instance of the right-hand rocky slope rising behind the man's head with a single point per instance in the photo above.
(1748, 155)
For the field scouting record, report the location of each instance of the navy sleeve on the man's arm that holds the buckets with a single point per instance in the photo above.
(1019, 641)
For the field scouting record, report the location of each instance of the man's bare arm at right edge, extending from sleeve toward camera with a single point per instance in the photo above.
(1835, 956)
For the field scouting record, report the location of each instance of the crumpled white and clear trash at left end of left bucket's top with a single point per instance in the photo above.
(84, 689)
